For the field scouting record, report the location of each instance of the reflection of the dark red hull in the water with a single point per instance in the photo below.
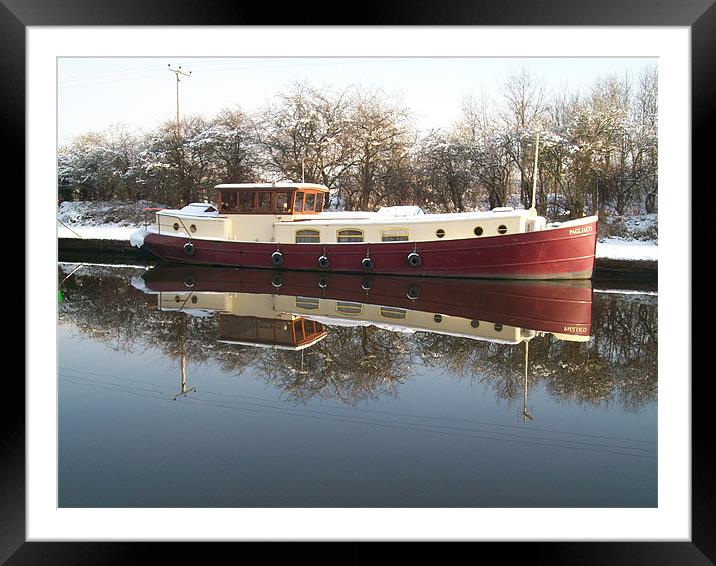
(560, 307)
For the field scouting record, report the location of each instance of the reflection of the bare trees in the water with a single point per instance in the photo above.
(617, 366)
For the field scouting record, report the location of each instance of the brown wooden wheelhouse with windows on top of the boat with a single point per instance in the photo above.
(282, 198)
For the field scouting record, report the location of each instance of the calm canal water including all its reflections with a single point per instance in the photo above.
(228, 388)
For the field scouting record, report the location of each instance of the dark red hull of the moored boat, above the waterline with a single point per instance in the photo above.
(546, 254)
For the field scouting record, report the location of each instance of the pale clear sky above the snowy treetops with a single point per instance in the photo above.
(94, 93)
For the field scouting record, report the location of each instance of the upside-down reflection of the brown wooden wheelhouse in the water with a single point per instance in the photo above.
(295, 333)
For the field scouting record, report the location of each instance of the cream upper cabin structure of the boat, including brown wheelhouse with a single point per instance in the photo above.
(290, 213)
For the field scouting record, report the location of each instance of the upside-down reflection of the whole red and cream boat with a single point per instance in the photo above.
(295, 310)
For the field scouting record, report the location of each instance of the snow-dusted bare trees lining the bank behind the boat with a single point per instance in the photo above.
(598, 151)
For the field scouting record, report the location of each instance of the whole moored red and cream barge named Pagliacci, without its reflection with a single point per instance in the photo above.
(287, 226)
